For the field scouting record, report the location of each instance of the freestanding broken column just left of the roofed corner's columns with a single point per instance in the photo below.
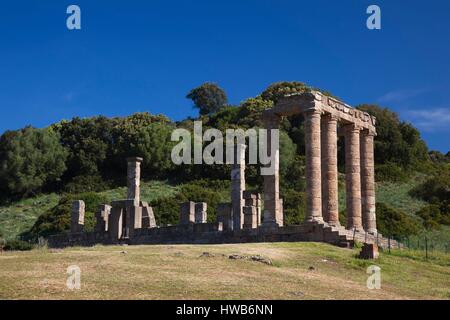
(238, 186)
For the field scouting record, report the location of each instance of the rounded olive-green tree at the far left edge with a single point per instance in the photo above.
(30, 159)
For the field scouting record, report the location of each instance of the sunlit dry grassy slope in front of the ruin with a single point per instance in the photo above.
(178, 272)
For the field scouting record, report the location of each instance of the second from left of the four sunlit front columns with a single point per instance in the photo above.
(330, 199)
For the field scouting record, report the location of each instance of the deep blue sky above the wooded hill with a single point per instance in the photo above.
(146, 55)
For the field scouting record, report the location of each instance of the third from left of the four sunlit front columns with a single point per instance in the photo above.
(353, 177)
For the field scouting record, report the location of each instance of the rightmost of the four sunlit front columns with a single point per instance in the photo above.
(368, 181)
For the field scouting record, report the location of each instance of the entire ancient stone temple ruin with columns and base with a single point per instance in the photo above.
(250, 216)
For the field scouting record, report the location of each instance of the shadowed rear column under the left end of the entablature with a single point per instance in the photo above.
(273, 214)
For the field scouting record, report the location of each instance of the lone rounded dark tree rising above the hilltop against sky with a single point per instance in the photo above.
(208, 98)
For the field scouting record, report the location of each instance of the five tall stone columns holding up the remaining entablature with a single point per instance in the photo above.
(322, 174)
